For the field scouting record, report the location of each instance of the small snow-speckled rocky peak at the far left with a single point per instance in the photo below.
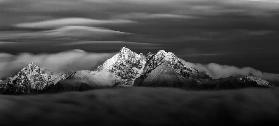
(32, 79)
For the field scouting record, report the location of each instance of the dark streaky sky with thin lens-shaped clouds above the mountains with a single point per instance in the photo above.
(232, 32)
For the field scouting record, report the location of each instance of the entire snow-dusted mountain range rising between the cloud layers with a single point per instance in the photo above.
(125, 69)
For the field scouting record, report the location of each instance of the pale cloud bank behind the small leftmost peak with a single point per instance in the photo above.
(67, 61)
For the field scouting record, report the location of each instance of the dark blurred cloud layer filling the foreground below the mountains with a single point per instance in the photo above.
(143, 106)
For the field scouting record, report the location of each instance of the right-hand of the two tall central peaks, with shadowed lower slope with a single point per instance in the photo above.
(166, 69)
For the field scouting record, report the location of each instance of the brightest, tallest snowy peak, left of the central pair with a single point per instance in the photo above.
(125, 65)
